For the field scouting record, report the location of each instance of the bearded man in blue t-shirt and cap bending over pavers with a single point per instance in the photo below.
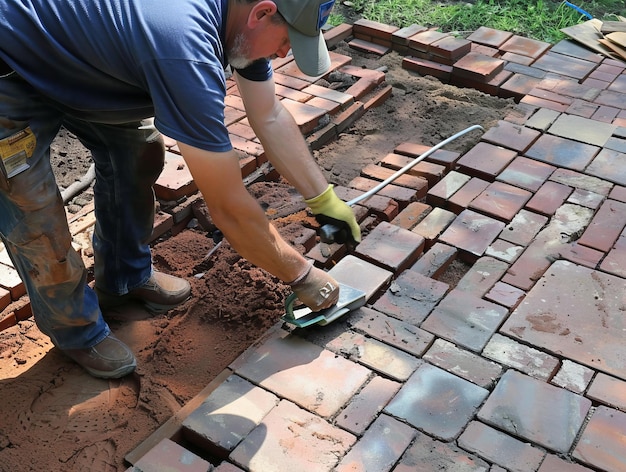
(101, 67)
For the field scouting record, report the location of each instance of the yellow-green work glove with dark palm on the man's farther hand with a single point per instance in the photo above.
(329, 209)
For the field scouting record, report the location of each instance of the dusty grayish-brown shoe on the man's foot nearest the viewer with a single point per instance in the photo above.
(109, 359)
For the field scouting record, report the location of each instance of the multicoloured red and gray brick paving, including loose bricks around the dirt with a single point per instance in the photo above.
(518, 366)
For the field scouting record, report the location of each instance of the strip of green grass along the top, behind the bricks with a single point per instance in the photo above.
(540, 19)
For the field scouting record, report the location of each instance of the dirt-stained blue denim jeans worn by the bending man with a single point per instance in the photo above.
(33, 225)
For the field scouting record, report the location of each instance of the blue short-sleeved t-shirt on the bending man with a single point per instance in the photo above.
(117, 61)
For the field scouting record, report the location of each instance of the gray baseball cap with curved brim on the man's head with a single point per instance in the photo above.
(305, 19)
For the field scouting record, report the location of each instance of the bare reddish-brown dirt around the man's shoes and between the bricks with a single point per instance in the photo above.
(55, 417)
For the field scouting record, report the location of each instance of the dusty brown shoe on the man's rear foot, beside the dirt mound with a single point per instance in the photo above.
(160, 293)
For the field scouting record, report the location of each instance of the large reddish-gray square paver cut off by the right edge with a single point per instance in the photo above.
(579, 313)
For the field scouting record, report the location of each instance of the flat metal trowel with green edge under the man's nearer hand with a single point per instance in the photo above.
(349, 299)
